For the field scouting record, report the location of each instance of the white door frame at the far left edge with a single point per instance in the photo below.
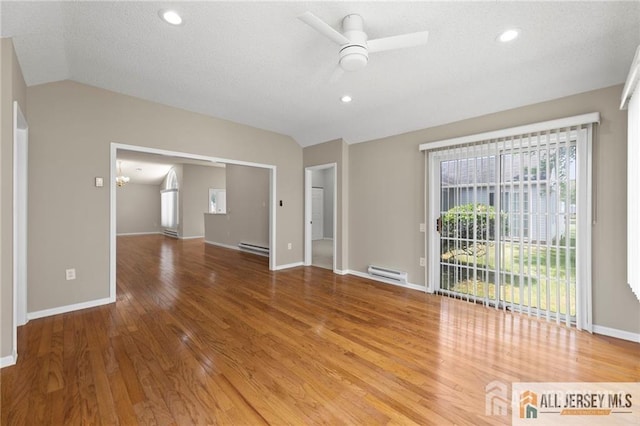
(20, 176)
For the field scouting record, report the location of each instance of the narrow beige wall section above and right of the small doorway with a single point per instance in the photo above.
(336, 151)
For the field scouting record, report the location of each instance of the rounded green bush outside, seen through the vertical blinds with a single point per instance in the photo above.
(467, 220)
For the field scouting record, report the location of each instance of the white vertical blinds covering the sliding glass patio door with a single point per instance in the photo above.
(508, 210)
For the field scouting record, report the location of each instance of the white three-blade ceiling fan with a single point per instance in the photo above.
(354, 44)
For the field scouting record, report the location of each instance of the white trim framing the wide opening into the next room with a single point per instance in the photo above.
(112, 200)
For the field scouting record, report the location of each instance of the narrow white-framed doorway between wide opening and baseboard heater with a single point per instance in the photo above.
(320, 216)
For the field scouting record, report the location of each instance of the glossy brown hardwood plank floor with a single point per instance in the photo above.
(205, 335)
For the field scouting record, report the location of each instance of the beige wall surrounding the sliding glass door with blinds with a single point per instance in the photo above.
(392, 170)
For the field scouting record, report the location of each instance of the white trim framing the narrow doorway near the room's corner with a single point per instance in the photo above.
(308, 246)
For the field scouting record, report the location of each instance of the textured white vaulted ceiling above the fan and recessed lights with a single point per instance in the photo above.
(257, 64)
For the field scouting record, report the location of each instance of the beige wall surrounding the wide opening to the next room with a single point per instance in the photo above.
(71, 128)
